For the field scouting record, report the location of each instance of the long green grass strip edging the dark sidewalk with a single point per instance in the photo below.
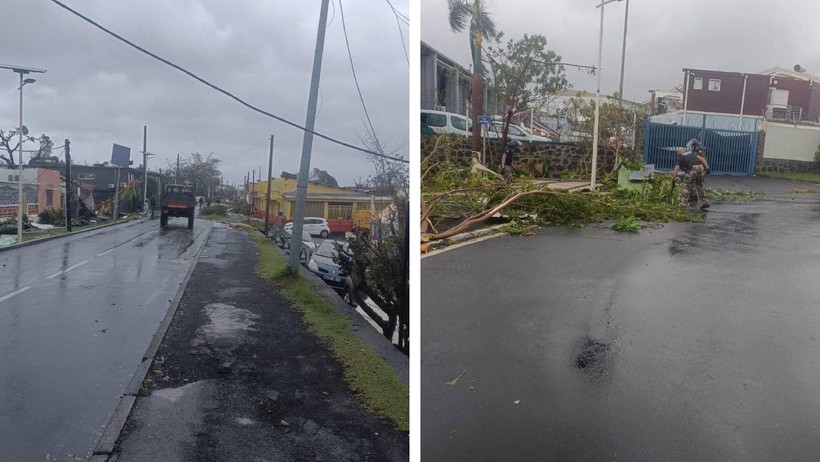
(366, 373)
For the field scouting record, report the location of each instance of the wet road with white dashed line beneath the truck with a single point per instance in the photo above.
(76, 316)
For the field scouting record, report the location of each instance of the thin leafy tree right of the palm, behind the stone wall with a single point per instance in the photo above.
(525, 72)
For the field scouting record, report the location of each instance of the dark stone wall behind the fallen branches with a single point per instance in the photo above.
(548, 159)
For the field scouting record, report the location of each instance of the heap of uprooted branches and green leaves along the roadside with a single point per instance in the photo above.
(456, 198)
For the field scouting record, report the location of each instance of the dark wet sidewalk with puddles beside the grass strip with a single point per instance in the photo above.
(238, 378)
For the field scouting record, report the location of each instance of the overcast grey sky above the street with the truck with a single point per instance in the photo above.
(99, 91)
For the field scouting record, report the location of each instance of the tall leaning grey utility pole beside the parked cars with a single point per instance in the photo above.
(307, 140)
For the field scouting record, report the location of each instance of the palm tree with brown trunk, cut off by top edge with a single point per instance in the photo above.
(481, 26)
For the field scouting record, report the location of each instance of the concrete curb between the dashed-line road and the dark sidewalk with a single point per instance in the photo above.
(105, 445)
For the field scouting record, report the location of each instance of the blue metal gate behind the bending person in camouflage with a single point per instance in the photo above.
(729, 152)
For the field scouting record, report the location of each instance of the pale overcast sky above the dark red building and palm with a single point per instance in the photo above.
(663, 37)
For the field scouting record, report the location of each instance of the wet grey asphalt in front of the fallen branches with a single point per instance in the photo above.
(685, 342)
